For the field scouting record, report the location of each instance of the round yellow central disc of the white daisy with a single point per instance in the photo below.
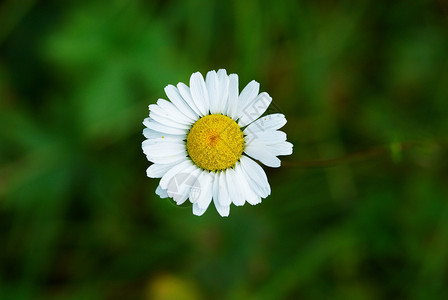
(215, 142)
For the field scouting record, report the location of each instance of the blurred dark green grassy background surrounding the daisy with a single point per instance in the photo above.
(359, 211)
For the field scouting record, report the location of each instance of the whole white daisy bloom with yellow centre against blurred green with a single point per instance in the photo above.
(201, 142)
